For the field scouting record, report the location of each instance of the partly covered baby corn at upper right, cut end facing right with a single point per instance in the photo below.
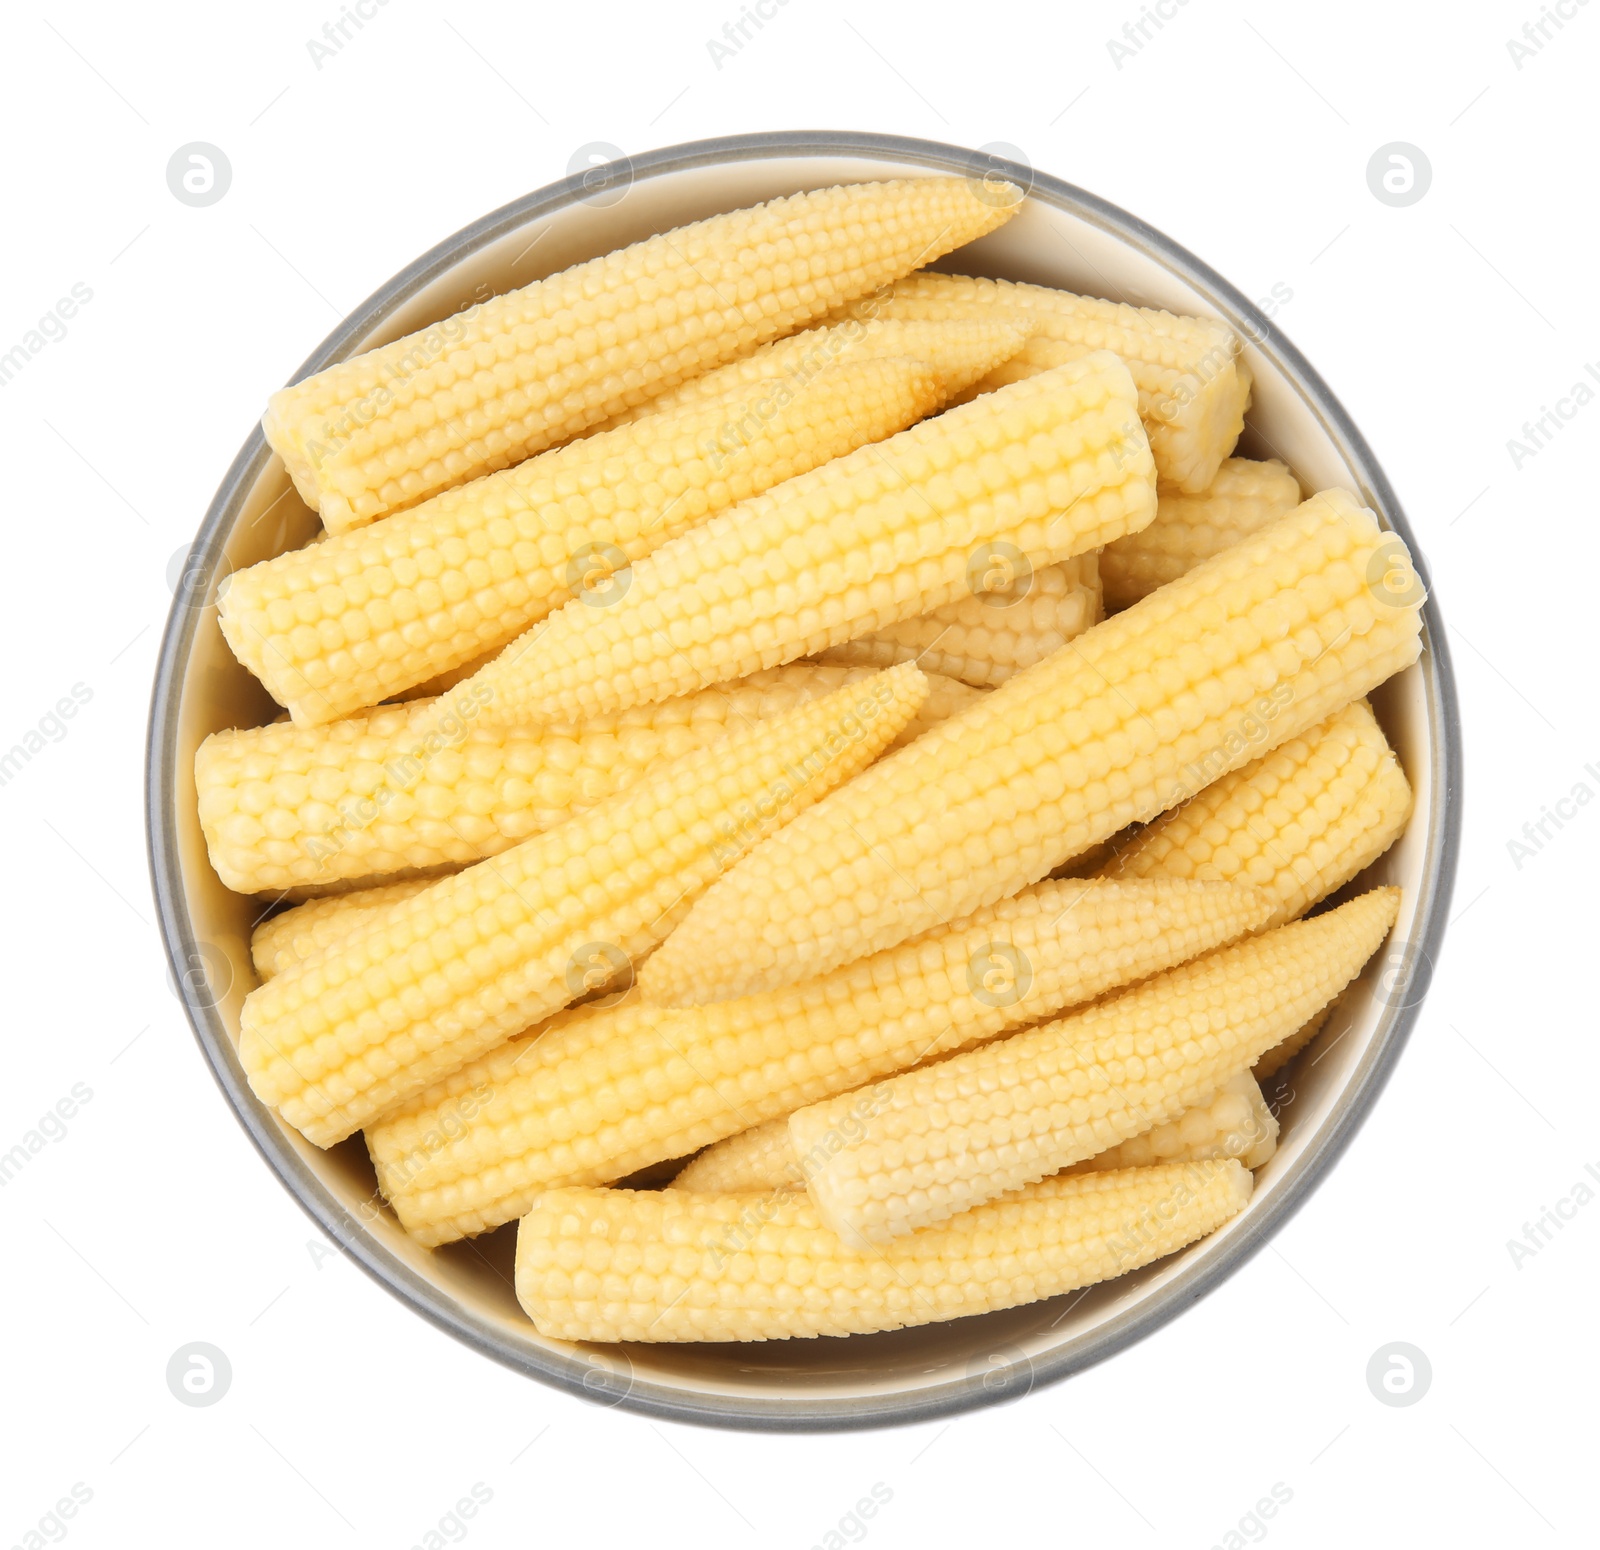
(1193, 385)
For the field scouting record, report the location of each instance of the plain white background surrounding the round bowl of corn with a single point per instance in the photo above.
(1246, 135)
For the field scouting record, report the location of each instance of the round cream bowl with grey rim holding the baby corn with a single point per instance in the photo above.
(1062, 238)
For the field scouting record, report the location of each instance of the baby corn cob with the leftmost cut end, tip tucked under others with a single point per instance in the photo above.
(422, 786)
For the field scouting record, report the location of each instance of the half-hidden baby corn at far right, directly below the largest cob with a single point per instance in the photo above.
(1298, 823)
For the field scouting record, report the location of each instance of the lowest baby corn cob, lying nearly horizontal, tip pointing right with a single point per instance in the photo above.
(678, 1266)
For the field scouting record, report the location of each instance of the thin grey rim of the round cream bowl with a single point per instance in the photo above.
(1148, 1314)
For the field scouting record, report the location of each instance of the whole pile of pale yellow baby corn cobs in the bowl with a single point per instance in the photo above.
(710, 764)
